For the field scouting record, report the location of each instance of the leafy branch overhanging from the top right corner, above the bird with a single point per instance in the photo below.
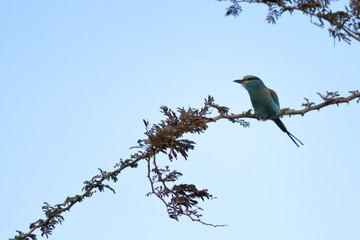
(343, 24)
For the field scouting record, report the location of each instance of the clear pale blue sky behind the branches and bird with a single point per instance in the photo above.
(78, 77)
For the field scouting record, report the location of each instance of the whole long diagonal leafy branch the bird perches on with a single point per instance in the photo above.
(166, 139)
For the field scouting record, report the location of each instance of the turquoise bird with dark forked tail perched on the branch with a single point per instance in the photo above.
(265, 102)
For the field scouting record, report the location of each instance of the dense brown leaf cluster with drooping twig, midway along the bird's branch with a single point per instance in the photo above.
(167, 137)
